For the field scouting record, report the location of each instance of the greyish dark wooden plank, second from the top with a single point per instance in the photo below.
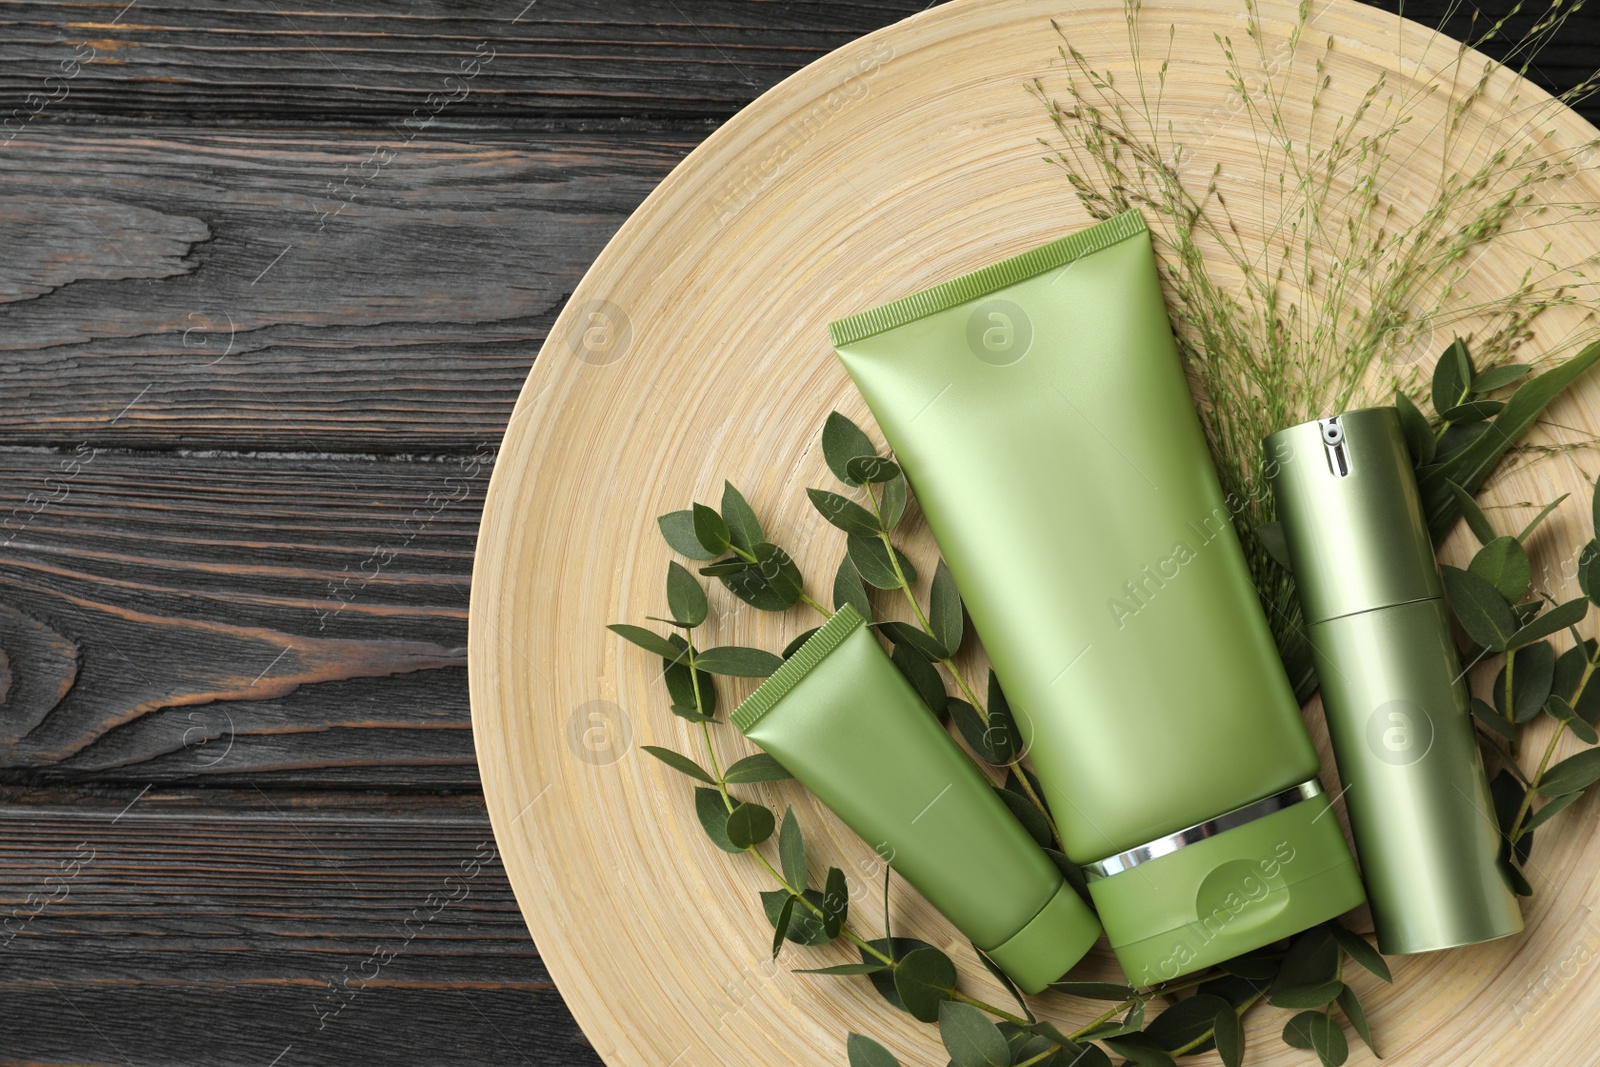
(396, 314)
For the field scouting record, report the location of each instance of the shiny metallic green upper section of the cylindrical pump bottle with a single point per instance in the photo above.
(1351, 514)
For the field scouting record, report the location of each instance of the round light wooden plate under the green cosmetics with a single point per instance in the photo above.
(697, 351)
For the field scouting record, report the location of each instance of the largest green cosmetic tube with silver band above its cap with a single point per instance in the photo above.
(1041, 410)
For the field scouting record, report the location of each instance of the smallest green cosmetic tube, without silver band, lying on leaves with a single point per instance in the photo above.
(844, 721)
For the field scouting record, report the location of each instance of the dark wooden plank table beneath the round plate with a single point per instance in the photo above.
(271, 279)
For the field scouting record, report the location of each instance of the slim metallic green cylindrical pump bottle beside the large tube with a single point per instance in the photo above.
(1393, 687)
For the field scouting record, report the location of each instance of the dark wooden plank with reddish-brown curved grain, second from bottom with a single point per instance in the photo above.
(167, 617)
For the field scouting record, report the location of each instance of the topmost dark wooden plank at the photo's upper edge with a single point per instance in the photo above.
(484, 65)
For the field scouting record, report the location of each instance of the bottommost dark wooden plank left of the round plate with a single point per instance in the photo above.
(346, 930)
